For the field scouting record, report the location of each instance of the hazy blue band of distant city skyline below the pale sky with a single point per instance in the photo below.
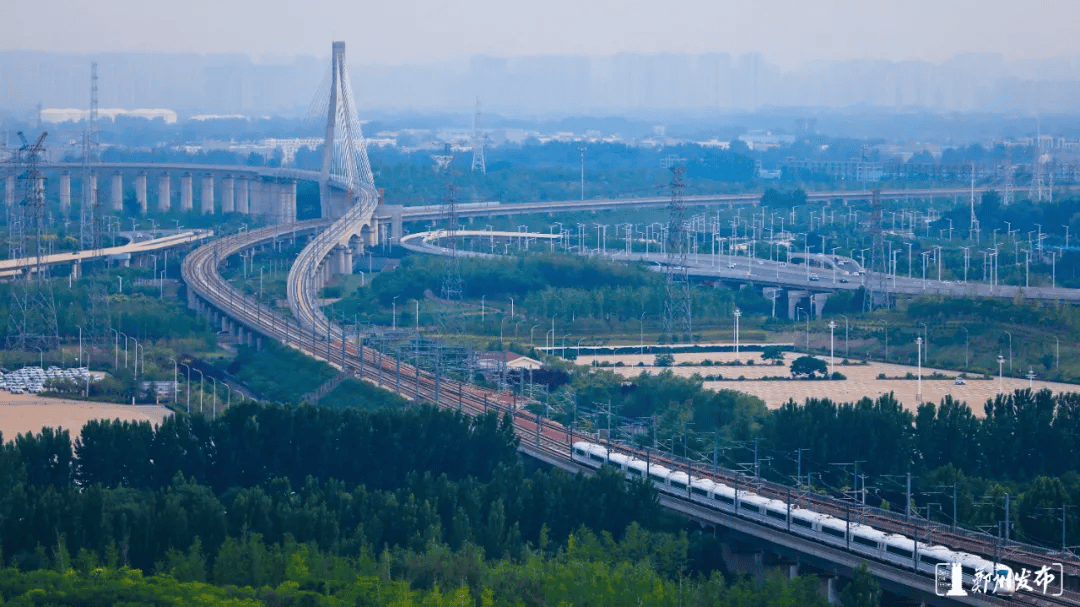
(550, 85)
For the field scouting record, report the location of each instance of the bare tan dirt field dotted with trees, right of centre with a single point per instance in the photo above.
(862, 381)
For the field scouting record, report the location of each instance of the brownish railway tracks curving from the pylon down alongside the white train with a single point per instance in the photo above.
(317, 336)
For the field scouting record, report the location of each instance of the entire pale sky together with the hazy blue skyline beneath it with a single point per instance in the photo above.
(558, 57)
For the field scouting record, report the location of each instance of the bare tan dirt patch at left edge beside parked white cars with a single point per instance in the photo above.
(30, 413)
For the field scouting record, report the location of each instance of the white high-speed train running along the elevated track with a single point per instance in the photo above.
(866, 541)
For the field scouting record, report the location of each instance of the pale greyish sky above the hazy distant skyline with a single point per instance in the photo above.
(399, 32)
